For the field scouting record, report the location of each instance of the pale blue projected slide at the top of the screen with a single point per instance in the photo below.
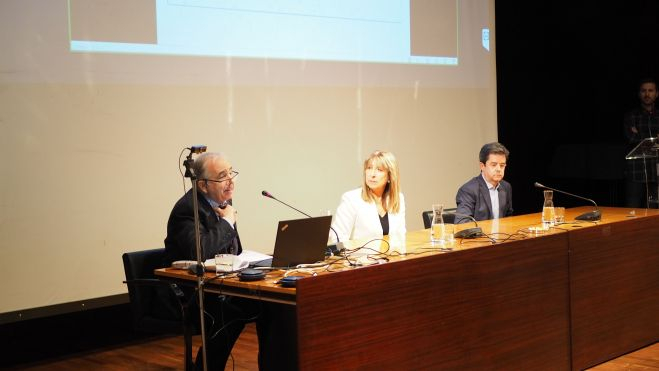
(384, 31)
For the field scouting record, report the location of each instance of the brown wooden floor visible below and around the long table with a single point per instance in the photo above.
(167, 353)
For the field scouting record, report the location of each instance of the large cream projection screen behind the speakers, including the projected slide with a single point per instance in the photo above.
(98, 99)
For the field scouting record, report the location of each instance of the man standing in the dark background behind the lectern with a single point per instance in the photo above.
(640, 123)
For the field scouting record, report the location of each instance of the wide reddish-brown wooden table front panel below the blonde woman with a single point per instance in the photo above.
(504, 307)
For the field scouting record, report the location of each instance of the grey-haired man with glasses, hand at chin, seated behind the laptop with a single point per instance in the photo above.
(218, 235)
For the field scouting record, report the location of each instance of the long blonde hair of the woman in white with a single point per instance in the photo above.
(390, 197)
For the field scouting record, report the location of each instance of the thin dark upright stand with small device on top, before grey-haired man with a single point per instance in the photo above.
(199, 268)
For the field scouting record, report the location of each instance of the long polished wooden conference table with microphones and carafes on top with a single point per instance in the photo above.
(568, 298)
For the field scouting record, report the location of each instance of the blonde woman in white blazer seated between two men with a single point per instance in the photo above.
(375, 209)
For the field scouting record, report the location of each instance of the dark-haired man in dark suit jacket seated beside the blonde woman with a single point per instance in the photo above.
(487, 196)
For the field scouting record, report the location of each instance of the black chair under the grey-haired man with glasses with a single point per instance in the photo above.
(158, 307)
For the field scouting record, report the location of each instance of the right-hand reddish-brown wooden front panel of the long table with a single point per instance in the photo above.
(614, 270)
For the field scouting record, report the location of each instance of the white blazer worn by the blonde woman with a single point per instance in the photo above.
(358, 219)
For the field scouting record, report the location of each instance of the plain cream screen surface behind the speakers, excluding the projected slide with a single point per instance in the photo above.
(90, 145)
